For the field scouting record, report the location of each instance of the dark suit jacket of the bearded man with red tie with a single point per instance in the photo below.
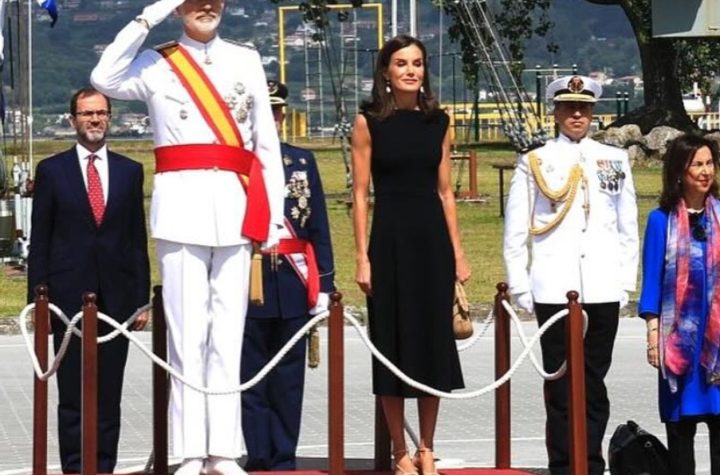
(72, 255)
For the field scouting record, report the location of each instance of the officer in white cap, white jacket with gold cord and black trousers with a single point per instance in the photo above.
(571, 224)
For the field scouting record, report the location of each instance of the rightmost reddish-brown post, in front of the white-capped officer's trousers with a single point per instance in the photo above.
(576, 386)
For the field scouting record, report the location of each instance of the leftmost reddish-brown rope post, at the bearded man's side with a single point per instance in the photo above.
(41, 322)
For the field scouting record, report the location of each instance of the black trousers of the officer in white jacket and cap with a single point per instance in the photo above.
(599, 342)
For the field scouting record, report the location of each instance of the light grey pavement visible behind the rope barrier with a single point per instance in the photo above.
(465, 432)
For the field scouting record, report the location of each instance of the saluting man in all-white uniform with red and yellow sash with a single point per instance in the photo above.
(199, 206)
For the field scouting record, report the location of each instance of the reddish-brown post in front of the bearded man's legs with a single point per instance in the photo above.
(89, 386)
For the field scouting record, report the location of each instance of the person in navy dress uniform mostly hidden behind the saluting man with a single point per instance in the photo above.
(297, 279)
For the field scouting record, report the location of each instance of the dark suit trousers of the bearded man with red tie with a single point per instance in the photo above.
(111, 370)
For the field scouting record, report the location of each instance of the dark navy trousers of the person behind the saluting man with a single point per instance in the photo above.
(272, 408)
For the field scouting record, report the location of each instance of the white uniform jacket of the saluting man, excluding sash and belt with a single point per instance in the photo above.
(201, 207)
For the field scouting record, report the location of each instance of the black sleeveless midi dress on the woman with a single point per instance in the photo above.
(411, 257)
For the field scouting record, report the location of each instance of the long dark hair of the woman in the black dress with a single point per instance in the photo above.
(381, 105)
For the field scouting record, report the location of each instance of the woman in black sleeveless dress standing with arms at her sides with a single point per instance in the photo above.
(413, 258)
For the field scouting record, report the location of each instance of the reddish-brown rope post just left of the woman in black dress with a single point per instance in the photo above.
(336, 387)
